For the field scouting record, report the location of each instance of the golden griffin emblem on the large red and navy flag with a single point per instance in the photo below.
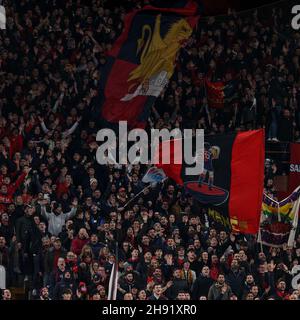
(157, 58)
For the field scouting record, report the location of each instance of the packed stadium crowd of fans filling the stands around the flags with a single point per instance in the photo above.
(62, 213)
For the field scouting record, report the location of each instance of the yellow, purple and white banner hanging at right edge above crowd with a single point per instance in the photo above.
(279, 220)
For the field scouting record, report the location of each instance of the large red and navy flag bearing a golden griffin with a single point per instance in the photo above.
(142, 60)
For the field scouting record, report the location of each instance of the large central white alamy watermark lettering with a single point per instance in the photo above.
(137, 146)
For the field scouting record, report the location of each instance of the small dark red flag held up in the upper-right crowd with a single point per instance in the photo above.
(219, 93)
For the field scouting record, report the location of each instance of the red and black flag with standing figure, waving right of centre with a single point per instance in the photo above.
(231, 184)
